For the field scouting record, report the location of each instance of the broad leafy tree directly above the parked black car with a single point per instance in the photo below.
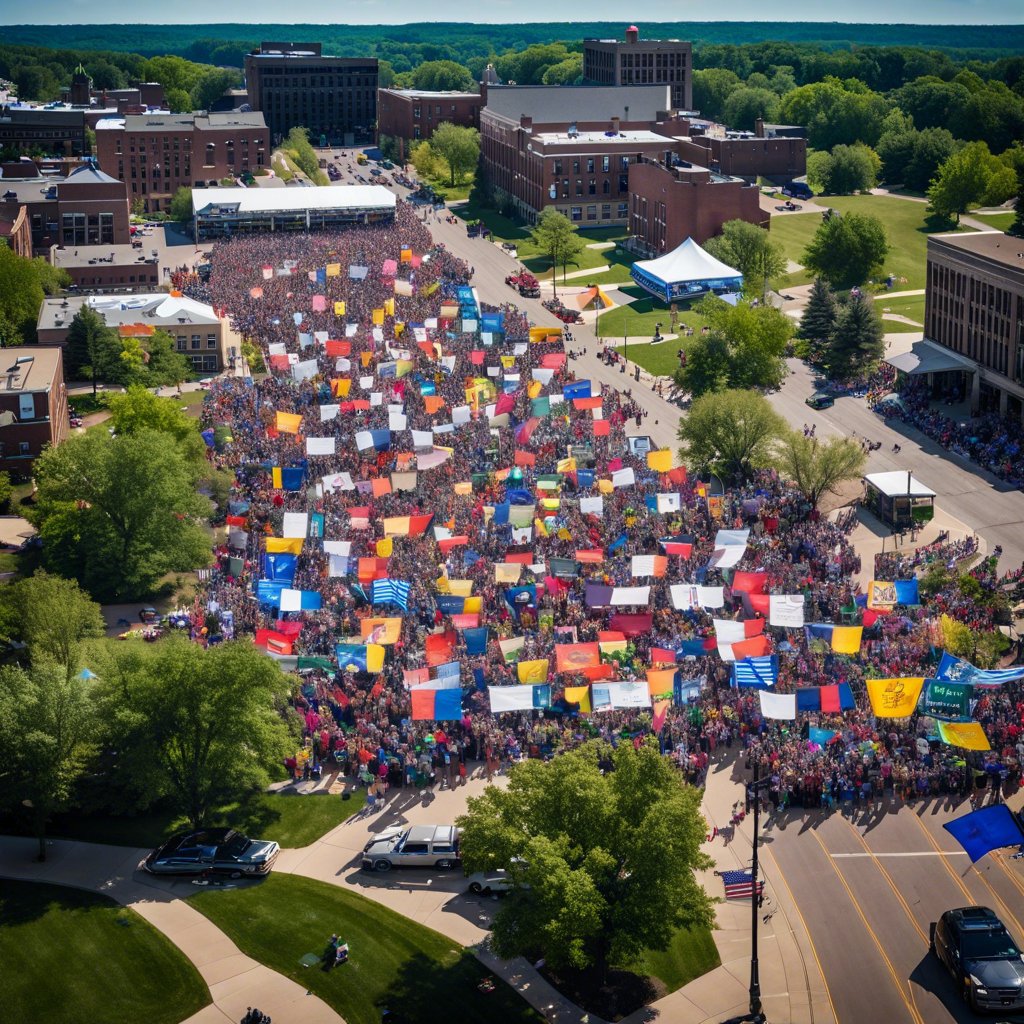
(200, 727)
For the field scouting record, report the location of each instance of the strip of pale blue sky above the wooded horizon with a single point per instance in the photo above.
(499, 12)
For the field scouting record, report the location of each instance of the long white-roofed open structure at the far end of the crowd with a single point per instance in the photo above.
(220, 212)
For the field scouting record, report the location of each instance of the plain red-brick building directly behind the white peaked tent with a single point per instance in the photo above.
(671, 202)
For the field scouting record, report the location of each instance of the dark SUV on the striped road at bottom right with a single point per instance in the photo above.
(985, 961)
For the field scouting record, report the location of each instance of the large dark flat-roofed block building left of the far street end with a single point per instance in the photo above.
(294, 84)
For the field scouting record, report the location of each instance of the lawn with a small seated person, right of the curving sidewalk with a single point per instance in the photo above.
(413, 971)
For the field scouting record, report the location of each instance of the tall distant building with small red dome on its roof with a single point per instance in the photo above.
(642, 62)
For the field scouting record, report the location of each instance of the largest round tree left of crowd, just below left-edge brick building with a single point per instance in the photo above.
(119, 514)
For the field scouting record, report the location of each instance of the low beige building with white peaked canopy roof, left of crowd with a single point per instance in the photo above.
(198, 332)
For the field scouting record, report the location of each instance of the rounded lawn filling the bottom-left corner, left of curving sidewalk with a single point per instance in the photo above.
(71, 957)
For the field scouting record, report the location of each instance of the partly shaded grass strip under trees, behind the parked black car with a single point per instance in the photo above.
(290, 821)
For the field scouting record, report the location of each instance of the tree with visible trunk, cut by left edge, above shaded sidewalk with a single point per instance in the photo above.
(48, 726)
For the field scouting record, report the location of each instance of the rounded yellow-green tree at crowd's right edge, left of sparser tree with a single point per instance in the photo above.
(734, 433)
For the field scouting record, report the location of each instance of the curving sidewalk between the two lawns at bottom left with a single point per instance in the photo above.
(236, 982)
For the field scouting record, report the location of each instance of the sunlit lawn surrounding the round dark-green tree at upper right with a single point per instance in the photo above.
(905, 223)
